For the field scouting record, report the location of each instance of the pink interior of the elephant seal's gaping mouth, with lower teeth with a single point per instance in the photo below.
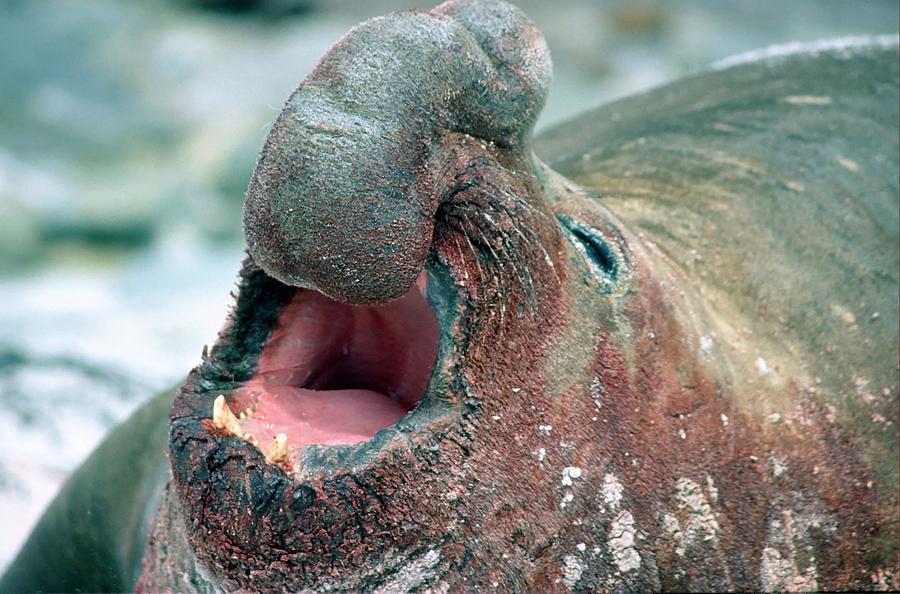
(333, 374)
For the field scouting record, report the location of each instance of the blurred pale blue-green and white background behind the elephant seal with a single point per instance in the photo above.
(128, 132)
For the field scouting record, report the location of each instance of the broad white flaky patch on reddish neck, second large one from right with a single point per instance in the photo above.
(695, 518)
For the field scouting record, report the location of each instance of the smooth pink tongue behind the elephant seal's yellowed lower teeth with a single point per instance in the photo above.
(324, 417)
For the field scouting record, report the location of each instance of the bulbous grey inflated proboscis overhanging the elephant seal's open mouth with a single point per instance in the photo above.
(346, 189)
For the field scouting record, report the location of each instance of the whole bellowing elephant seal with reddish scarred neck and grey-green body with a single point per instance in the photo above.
(450, 368)
